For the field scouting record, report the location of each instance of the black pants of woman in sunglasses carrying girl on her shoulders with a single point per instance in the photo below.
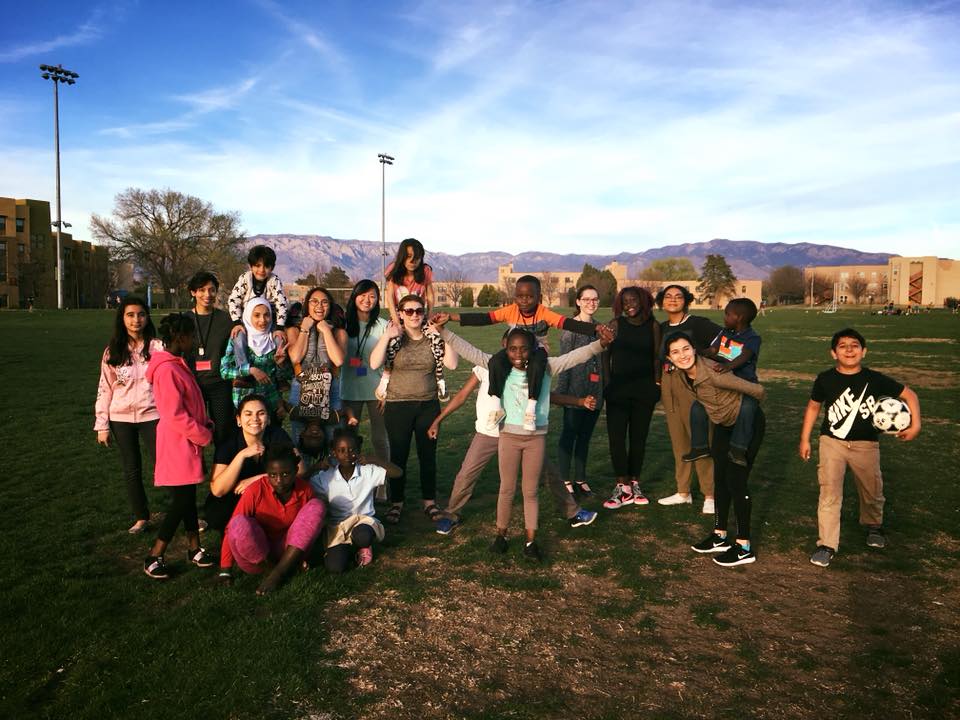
(406, 419)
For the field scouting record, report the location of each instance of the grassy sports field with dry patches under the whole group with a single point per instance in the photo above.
(623, 620)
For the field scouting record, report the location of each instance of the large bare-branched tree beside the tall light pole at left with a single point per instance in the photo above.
(170, 236)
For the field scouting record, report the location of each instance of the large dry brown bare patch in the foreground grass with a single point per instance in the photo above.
(780, 638)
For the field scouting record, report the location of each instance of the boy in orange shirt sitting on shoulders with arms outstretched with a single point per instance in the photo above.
(527, 313)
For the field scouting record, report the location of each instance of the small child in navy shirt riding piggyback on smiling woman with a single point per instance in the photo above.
(736, 348)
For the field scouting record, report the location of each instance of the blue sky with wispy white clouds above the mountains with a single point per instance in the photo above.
(561, 126)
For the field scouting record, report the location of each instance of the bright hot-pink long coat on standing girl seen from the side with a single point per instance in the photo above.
(183, 428)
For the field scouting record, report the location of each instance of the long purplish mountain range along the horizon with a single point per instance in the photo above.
(299, 255)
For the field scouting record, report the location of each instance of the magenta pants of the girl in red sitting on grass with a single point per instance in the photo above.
(251, 546)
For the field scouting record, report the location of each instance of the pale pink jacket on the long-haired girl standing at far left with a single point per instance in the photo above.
(124, 394)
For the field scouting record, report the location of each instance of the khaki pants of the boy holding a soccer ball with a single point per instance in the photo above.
(863, 457)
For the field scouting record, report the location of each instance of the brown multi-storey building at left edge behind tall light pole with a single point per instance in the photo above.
(28, 252)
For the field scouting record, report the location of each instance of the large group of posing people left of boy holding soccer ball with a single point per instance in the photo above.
(284, 500)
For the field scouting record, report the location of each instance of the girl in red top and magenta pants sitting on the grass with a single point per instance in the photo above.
(275, 523)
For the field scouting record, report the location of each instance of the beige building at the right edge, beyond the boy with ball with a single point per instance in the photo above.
(925, 280)
